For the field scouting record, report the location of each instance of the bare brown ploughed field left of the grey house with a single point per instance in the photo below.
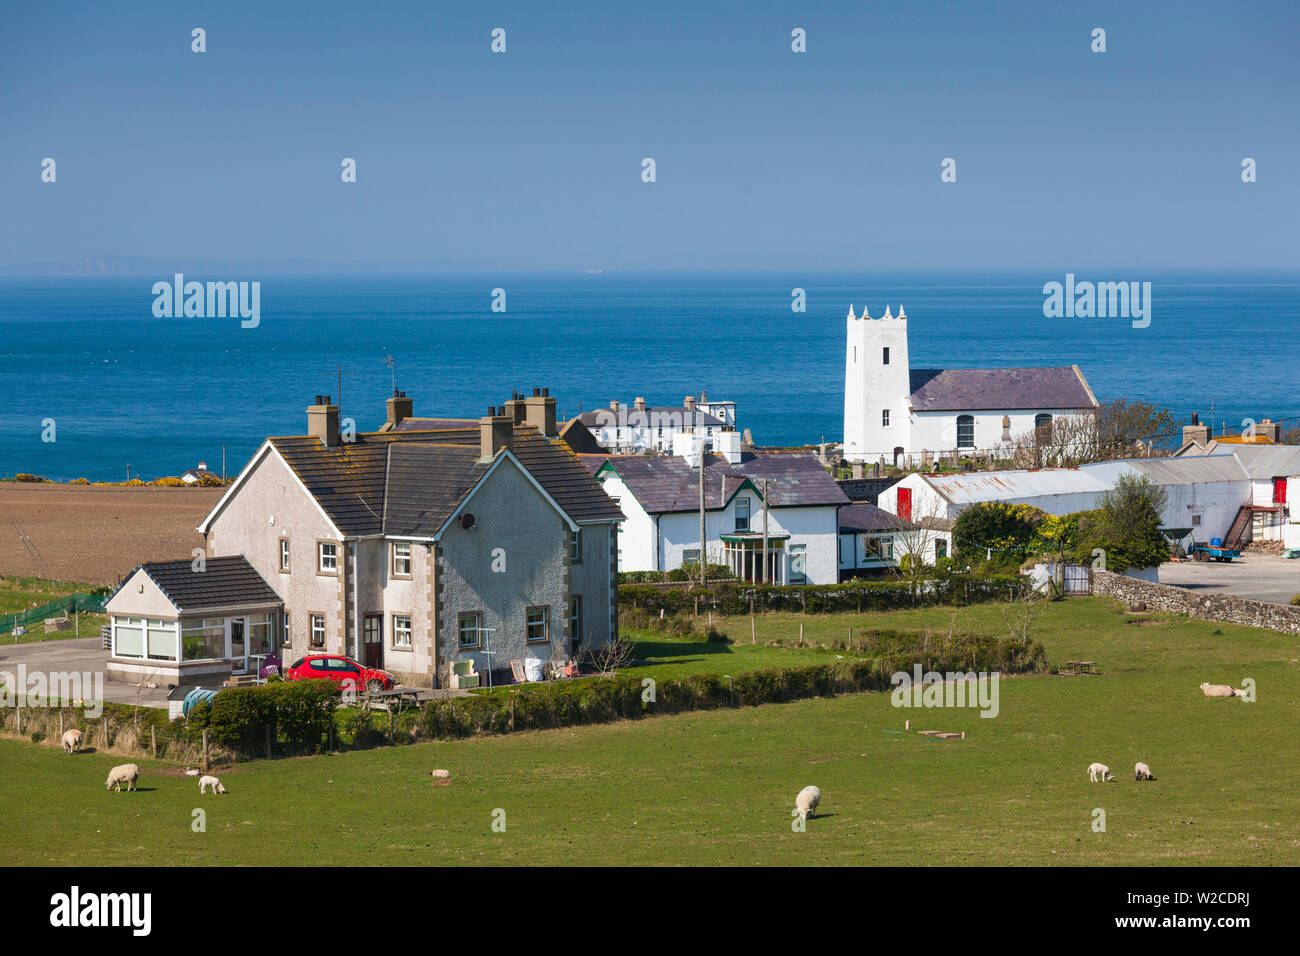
(97, 534)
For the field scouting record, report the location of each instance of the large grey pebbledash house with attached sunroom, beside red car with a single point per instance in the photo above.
(409, 548)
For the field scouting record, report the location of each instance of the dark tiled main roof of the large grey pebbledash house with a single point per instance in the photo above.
(354, 481)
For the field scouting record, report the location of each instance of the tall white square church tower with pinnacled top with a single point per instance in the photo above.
(877, 388)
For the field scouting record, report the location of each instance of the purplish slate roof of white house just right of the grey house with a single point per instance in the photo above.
(666, 485)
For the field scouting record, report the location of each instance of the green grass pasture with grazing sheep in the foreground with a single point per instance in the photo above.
(718, 788)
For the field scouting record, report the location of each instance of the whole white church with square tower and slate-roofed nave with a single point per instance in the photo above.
(895, 413)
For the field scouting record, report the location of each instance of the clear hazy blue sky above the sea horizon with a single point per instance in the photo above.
(531, 161)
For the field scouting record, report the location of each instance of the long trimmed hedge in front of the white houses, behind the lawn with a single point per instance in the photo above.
(852, 596)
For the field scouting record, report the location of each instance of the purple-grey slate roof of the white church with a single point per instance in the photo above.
(974, 390)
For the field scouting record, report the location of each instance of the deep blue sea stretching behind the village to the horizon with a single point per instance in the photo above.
(94, 386)
